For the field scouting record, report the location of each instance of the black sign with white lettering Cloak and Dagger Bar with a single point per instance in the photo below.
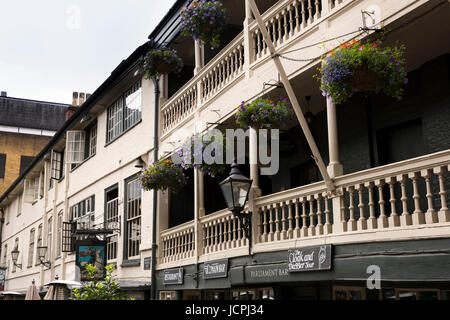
(309, 259)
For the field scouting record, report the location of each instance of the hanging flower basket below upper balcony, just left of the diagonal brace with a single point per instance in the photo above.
(264, 113)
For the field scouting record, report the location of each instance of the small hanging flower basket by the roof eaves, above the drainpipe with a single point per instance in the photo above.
(162, 61)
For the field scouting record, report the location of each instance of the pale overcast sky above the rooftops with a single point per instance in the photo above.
(50, 48)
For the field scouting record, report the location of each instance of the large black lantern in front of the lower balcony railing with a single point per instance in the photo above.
(235, 190)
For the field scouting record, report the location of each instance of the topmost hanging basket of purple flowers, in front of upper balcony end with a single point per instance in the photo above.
(204, 20)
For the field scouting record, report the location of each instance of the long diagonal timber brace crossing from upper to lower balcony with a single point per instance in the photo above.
(292, 97)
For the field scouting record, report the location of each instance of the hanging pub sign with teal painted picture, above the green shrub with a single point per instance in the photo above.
(93, 252)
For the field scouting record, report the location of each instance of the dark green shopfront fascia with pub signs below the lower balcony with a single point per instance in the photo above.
(415, 269)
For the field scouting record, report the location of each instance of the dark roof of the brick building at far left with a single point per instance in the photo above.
(32, 114)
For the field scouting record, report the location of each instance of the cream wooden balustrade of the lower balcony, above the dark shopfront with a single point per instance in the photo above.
(383, 198)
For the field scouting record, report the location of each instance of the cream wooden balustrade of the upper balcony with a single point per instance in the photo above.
(286, 21)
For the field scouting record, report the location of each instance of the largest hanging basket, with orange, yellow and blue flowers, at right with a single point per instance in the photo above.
(366, 67)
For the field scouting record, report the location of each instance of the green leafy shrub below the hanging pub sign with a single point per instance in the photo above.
(107, 289)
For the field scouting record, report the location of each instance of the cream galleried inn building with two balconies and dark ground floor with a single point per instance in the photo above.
(386, 218)
